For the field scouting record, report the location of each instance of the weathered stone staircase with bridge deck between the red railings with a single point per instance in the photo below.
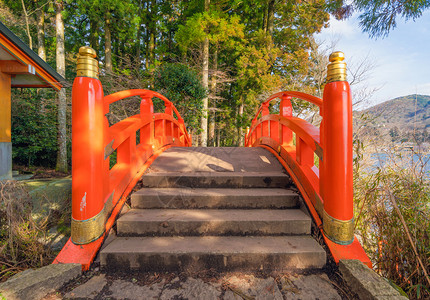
(214, 208)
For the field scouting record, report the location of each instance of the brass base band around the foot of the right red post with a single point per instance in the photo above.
(338, 231)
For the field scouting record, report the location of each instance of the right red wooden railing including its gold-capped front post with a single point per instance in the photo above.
(327, 187)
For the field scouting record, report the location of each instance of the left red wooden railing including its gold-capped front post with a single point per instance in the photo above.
(98, 191)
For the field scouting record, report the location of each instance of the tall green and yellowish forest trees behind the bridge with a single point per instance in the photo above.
(216, 60)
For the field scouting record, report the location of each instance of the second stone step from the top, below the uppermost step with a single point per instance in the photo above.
(214, 198)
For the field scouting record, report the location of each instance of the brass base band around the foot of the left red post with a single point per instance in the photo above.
(87, 231)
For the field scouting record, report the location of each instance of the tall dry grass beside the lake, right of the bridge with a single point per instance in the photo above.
(393, 219)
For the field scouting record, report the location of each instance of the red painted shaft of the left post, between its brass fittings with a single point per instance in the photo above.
(88, 144)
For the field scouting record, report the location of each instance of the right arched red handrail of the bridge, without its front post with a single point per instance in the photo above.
(276, 132)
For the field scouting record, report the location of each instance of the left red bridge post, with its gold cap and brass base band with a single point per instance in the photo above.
(88, 163)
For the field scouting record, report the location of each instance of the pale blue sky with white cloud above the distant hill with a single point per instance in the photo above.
(402, 60)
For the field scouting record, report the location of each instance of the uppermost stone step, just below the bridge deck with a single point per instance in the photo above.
(217, 180)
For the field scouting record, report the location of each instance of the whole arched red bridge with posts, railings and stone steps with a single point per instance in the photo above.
(227, 208)
